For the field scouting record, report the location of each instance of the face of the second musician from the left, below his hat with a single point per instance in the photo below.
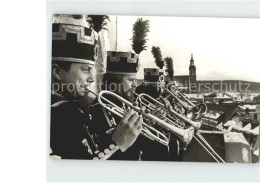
(127, 86)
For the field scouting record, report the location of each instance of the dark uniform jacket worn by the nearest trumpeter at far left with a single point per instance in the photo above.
(70, 135)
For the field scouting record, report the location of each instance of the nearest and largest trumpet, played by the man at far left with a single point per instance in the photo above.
(148, 131)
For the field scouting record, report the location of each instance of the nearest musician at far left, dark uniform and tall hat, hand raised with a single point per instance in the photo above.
(72, 135)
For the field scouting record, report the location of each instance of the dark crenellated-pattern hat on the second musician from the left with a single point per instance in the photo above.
(122, 62)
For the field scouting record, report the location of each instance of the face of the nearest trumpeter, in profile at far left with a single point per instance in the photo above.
(77, 79)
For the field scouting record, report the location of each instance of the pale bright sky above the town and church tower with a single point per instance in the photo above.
(222, 48)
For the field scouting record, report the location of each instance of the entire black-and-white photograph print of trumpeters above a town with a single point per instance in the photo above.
(154, 88)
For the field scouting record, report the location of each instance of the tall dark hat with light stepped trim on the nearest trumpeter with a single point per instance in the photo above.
(73, 40)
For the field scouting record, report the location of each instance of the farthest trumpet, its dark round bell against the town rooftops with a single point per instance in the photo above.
(198, 111)
